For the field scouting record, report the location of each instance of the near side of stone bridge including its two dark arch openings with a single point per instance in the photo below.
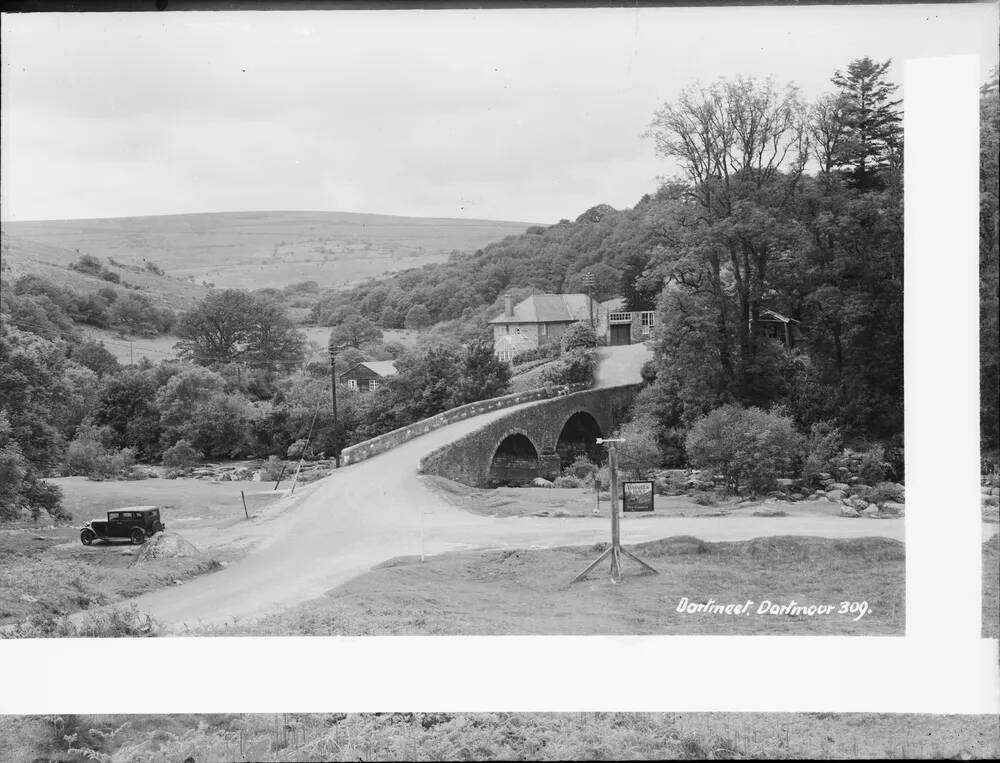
(533, 441)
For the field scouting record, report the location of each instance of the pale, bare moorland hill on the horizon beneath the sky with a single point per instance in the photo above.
(255, 249)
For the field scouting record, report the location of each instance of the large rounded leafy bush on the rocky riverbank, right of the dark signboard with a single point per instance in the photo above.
(745, 446)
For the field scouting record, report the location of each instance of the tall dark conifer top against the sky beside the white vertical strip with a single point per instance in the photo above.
(872, 136)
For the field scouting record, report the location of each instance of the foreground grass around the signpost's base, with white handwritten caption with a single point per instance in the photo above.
(529, 592)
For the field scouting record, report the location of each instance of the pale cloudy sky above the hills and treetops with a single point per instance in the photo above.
(528, 115)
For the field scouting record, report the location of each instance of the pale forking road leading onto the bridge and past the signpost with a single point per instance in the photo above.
(371, 511)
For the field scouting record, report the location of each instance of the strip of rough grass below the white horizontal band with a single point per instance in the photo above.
(497, 736)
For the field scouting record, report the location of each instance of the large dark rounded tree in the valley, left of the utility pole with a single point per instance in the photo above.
(234, 326)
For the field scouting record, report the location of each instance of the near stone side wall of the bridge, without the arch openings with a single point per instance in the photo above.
(467, 460)
